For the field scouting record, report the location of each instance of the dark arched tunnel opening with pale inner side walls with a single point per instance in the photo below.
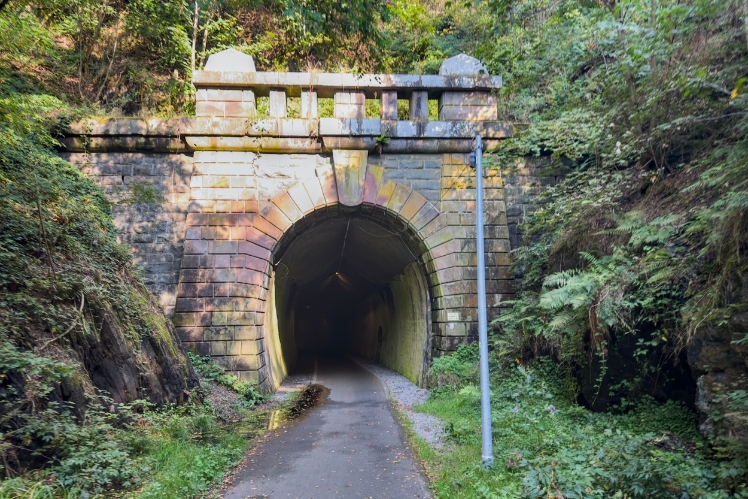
(350, 283)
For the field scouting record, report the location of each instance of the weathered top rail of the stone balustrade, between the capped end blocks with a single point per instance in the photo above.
(326, 84)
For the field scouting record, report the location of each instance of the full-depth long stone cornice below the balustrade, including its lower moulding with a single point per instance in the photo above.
(279, 135)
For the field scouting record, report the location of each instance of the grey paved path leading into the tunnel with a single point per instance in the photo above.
(349, 447)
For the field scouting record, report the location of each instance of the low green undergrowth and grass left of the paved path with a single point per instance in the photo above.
(143, 451)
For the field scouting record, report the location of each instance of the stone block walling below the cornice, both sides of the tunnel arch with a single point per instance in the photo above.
(211, 222)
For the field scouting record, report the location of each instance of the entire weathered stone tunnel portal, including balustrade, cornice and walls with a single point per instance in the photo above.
(218, 207)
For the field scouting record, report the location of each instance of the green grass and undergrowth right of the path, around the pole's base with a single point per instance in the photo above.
(546, 445)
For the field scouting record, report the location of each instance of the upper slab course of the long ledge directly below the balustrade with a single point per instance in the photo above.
(289, 127)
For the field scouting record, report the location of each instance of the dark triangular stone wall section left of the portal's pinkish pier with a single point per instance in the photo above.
(150, 195)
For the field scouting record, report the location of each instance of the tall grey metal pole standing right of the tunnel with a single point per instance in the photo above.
(485, 390)
